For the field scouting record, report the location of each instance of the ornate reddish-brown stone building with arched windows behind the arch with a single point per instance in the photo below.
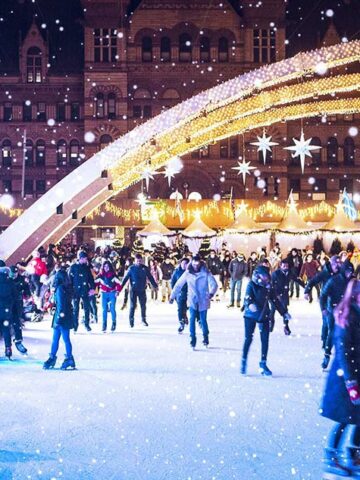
(141, 58)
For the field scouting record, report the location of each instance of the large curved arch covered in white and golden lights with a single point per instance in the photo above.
(260, 98)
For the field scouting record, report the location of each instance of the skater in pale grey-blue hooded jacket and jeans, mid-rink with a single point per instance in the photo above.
(202, 287)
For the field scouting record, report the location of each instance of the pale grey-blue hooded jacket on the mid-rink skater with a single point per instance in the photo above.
(200, 285)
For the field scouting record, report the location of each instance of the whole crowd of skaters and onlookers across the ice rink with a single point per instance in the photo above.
(67, 280)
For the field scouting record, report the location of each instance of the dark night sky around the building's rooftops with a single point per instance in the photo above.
(307, 21)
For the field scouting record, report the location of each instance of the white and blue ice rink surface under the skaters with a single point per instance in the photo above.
(143, 406)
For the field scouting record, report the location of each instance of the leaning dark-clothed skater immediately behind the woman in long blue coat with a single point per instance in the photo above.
(331, 295)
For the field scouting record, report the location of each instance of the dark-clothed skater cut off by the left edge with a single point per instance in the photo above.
(8, 296)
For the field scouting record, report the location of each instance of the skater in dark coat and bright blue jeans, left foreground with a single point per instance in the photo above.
(63, 321)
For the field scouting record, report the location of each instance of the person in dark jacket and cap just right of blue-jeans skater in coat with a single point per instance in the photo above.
(83, 285)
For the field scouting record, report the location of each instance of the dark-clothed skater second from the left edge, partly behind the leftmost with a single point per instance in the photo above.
(22, 289)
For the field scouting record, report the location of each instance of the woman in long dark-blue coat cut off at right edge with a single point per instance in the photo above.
(341, 400)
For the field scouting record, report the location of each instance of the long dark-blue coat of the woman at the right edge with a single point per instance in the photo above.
(336, 403)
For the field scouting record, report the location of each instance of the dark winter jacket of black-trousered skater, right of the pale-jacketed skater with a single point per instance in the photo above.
(257, 300)
